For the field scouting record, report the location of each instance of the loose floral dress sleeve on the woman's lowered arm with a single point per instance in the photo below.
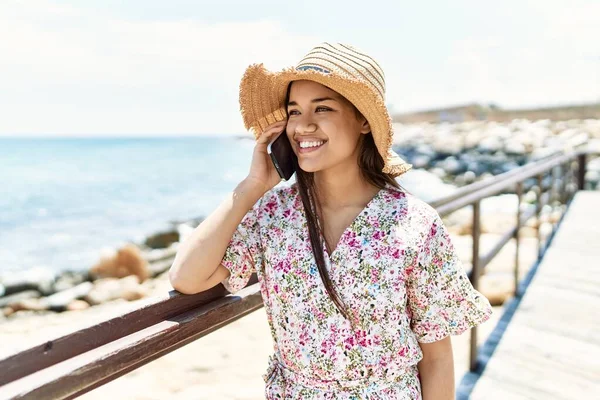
(441, 299)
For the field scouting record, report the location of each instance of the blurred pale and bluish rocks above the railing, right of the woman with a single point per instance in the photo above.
(461, 153)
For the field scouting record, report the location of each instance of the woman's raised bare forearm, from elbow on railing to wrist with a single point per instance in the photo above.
(201, 253)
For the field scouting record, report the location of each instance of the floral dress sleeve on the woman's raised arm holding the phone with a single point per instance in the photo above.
(244, 253)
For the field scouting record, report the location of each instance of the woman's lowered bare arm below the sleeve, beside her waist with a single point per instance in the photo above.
(437, 377)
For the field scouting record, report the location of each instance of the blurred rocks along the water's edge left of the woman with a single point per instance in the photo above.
(127, 273)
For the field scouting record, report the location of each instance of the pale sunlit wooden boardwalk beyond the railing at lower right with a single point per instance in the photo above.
(549, 347)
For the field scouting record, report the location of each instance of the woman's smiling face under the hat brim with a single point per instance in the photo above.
(323, 127)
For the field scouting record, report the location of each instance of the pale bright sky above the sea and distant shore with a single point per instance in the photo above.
(172, 68)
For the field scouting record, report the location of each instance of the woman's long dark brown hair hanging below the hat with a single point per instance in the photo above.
(370, 163)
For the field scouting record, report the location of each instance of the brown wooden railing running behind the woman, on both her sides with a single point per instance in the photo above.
(69, 366)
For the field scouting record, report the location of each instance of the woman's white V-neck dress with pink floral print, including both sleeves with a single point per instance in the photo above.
(396, 272)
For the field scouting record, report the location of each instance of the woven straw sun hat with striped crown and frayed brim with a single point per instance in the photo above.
(342, 68)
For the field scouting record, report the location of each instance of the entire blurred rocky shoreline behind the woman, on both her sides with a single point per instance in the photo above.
(455, 154)
